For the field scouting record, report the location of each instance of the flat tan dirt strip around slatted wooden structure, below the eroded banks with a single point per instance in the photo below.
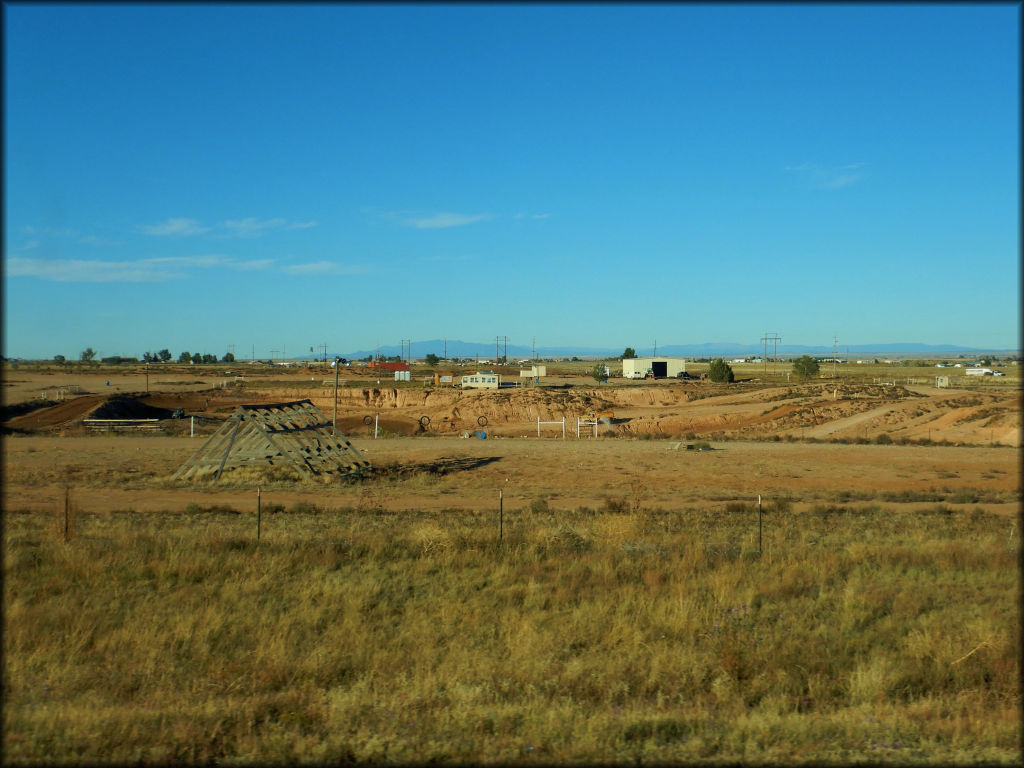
(120, 473)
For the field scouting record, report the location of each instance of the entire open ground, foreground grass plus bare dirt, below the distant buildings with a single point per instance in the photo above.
(617, 600)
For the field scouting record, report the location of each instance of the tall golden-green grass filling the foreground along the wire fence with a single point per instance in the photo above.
(859, 634)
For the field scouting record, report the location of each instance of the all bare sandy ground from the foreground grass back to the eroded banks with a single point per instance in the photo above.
(422, 458)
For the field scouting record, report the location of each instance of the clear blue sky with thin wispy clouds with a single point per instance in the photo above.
(279, 178)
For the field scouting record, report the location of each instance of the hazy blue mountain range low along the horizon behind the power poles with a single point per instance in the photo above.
(488, 352)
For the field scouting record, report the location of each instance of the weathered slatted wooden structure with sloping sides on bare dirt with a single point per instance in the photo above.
(287, 435)
